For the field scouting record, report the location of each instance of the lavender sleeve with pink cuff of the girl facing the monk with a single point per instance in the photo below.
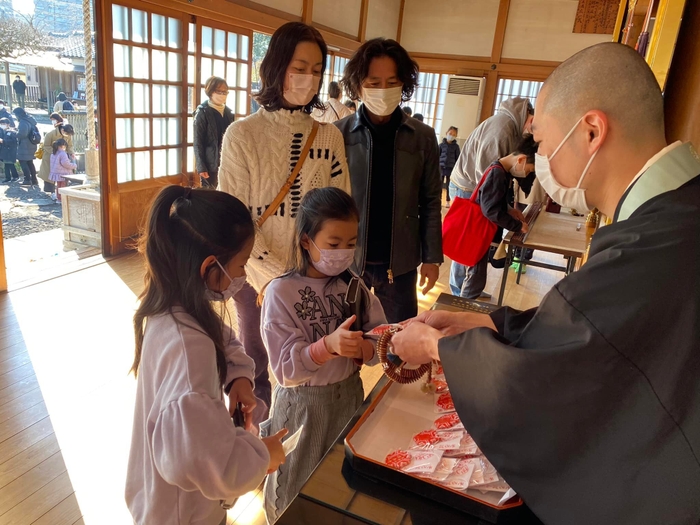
(294, 360)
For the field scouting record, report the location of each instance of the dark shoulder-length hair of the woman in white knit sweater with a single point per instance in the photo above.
(273, 69)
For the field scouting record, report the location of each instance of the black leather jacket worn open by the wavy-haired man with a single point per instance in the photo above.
(417, 221)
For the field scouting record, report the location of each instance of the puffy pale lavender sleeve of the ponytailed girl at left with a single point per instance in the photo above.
(187, 456)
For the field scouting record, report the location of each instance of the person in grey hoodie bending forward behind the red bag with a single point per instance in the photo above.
(494, 138)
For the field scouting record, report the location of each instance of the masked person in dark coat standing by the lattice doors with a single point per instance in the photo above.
(211, 120)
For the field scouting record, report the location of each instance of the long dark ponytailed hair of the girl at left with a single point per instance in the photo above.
(184, 227)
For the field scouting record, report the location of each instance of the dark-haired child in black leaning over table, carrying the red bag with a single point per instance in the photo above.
(494, 198)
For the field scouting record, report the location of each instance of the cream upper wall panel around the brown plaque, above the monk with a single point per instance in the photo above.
(542, 30)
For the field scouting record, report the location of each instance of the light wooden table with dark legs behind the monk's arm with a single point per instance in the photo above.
(559, 233)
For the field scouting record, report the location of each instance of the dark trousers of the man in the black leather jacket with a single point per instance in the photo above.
(398, 299)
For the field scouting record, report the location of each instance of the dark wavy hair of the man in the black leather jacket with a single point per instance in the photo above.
(357, 69)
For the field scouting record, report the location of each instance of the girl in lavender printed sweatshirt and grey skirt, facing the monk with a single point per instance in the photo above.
(314, 354)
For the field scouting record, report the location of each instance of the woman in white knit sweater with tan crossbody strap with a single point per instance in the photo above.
(258, 155)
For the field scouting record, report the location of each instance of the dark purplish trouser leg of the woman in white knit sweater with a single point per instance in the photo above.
(248, 315)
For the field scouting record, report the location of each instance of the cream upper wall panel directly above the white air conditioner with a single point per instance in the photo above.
(454, 27)
